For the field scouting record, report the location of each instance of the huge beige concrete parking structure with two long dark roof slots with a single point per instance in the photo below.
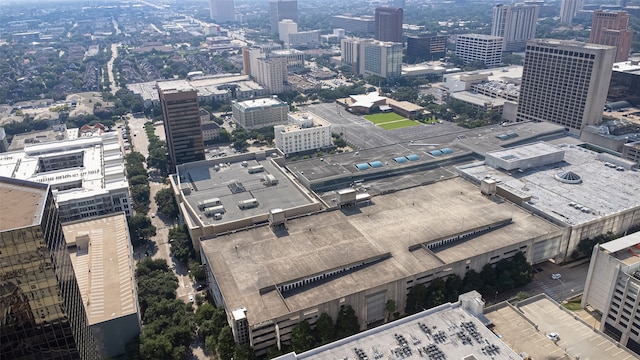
(269, 278)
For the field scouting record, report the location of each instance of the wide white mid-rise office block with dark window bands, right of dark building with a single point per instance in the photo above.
(477, 47)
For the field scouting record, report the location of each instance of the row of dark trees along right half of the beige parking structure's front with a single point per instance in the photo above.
(506, 275)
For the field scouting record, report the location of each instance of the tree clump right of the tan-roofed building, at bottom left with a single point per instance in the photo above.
(169, 323)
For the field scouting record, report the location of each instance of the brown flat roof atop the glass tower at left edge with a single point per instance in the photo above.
(22, 203)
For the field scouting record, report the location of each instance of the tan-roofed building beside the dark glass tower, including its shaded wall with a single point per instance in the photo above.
(102, 258)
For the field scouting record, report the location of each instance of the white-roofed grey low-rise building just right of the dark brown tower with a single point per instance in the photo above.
(259, 113)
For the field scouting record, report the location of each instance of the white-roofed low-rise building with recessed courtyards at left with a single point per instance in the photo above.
(87, 175)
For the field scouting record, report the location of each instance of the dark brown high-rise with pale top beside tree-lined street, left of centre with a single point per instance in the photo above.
(181, 113)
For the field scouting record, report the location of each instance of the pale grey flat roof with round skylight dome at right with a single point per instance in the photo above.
(603, 190)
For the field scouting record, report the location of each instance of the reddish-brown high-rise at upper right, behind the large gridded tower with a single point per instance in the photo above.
(612, 28)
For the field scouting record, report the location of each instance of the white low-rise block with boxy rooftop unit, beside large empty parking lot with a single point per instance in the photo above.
(305, 132)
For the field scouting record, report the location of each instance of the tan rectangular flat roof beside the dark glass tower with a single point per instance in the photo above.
(104, 270)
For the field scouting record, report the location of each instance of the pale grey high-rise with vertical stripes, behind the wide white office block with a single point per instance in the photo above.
(515, 24)
